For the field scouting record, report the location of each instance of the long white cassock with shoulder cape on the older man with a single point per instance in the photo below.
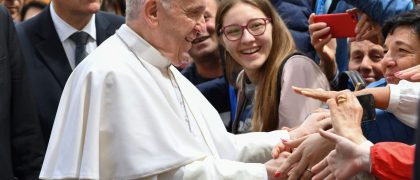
(126, 113)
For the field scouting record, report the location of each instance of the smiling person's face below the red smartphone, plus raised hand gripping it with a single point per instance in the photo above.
(364, 56)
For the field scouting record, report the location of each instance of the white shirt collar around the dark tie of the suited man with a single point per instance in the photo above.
(65, 30)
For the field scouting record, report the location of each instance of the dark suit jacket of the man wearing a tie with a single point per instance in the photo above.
(47, 62)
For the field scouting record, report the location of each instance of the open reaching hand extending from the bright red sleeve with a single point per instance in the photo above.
(347, 160)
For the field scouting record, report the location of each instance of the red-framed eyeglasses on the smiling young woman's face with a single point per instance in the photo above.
(256, 27)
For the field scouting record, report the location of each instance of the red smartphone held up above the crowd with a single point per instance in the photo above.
(342, 24)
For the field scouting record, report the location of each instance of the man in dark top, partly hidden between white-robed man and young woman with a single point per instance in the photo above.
(206, 71)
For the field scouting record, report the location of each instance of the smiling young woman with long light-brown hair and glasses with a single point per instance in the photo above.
(256, 38)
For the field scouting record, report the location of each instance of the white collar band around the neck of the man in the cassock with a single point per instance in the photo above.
(142, 49)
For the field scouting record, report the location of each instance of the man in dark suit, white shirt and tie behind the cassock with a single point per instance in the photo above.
(54, 42)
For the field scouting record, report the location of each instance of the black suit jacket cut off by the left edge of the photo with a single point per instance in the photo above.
(21, 143)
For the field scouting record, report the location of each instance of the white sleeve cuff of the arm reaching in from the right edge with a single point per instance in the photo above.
(403, 101)
